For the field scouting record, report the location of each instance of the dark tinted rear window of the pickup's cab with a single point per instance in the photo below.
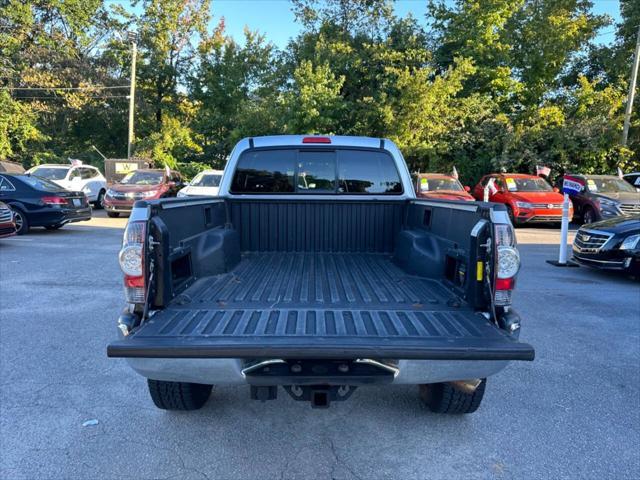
(340, 171)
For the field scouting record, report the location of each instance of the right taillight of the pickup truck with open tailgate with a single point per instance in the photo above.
(507, 264)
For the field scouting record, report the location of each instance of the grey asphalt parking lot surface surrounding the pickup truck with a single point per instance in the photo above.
(572, 413)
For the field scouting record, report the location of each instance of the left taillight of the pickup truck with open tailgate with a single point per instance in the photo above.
(131, 260)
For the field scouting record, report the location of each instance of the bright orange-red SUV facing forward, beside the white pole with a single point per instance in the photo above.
(529, 199)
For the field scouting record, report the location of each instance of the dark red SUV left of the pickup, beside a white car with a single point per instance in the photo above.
(143, 184)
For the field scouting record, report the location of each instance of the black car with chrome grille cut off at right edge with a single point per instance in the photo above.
(612, 244)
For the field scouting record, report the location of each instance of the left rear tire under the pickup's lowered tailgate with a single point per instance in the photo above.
(178, 395)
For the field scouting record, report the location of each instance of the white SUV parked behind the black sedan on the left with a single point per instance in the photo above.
(77, 178)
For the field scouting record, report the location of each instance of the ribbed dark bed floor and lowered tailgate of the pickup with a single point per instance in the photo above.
(319, 305)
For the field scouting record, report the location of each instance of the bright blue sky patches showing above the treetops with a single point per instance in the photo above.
(275, 19)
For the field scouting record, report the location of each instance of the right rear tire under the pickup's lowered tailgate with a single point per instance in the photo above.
(444, 398)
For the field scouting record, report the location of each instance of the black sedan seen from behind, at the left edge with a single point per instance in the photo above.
(37, 202)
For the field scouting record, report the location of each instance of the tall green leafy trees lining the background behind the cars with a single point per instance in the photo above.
(481, 85)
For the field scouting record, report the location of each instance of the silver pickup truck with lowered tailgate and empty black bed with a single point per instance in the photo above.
(317, 270)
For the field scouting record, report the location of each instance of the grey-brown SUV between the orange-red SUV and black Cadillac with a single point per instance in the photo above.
(604, 196)
